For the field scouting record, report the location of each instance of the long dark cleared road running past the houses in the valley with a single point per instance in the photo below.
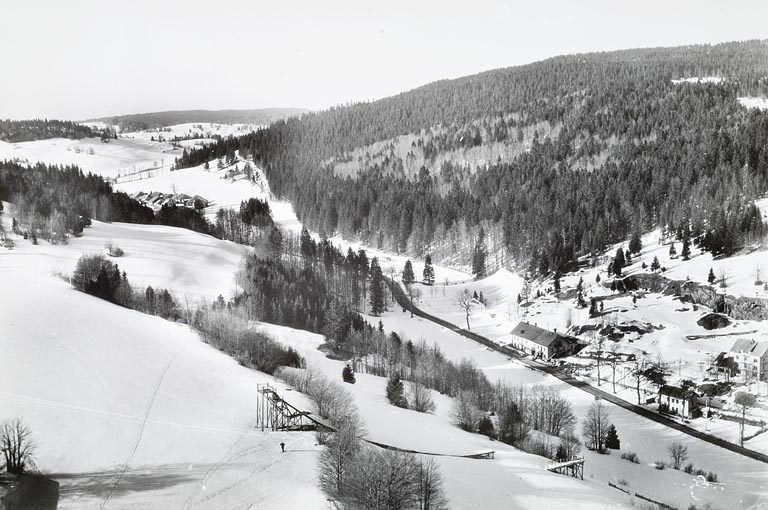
(403, 301)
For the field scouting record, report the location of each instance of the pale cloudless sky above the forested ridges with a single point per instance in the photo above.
(77, 59)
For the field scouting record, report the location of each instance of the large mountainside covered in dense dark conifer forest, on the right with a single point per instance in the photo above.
(570, 154)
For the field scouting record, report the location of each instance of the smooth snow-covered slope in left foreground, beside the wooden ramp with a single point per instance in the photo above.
(132, 411)
